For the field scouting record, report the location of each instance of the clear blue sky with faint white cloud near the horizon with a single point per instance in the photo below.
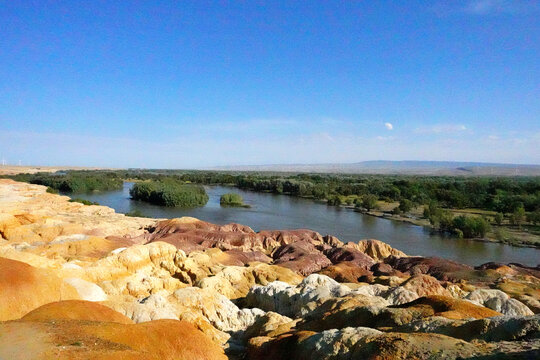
(194, 84)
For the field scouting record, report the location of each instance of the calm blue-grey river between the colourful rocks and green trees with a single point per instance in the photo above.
(278, 212)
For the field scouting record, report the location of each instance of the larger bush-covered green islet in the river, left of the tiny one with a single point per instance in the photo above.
(169, 193)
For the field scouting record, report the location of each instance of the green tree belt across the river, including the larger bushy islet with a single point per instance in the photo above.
(514, 198)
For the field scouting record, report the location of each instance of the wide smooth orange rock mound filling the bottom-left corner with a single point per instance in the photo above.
(77, 340)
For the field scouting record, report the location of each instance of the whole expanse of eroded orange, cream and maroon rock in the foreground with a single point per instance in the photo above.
(79, 282)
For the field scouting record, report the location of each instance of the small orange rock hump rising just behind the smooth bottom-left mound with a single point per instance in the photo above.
(76, 310)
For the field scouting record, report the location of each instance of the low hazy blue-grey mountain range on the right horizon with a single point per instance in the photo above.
(410, 167)
